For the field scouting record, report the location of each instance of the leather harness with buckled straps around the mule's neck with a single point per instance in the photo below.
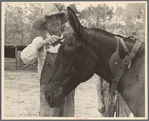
(118, 66)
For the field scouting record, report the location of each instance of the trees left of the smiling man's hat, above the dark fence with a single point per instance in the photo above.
(18, 20)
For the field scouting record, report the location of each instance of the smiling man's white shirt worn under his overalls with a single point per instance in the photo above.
(30, 53)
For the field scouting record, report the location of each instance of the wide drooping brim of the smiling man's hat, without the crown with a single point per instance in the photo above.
(38, 24)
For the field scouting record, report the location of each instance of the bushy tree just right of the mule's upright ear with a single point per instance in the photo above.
(97, 16)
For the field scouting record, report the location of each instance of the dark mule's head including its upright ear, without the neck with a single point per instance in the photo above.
(76, 62)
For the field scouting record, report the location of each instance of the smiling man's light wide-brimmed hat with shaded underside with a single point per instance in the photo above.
(49, 10)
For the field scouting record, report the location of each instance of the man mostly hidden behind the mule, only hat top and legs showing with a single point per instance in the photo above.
(103, 93)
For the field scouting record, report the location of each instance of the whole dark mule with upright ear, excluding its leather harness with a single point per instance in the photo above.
(87, 51)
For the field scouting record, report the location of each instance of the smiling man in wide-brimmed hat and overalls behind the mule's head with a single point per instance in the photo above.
(50, 23)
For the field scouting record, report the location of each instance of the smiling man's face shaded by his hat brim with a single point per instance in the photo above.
(53, 24)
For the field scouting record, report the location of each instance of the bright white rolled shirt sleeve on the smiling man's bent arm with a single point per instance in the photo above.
(30, 53)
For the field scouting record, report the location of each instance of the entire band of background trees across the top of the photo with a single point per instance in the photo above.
(18, 19)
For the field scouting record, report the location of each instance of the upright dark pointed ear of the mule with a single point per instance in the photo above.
(74, 22)
